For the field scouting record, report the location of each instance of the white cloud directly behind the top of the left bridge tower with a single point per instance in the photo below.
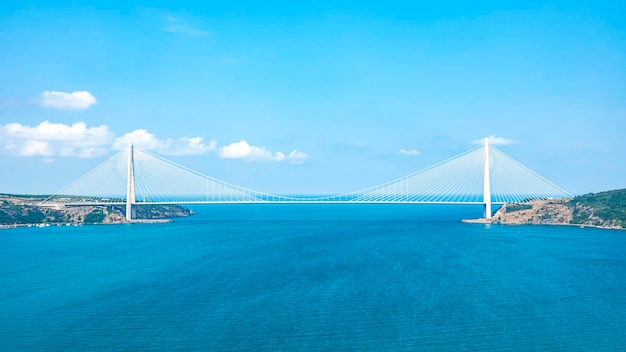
(169, 146)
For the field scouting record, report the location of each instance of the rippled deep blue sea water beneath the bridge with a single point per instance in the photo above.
(313, 278)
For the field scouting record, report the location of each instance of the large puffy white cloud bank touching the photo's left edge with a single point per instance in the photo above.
(54, 139)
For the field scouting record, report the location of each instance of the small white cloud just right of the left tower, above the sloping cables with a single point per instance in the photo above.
(243, 150)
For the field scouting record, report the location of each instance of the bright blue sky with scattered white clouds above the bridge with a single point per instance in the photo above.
(312, 97)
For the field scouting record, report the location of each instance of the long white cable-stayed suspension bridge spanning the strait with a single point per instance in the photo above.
(482, 175)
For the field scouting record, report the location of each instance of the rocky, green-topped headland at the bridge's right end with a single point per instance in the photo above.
(603, 209)
